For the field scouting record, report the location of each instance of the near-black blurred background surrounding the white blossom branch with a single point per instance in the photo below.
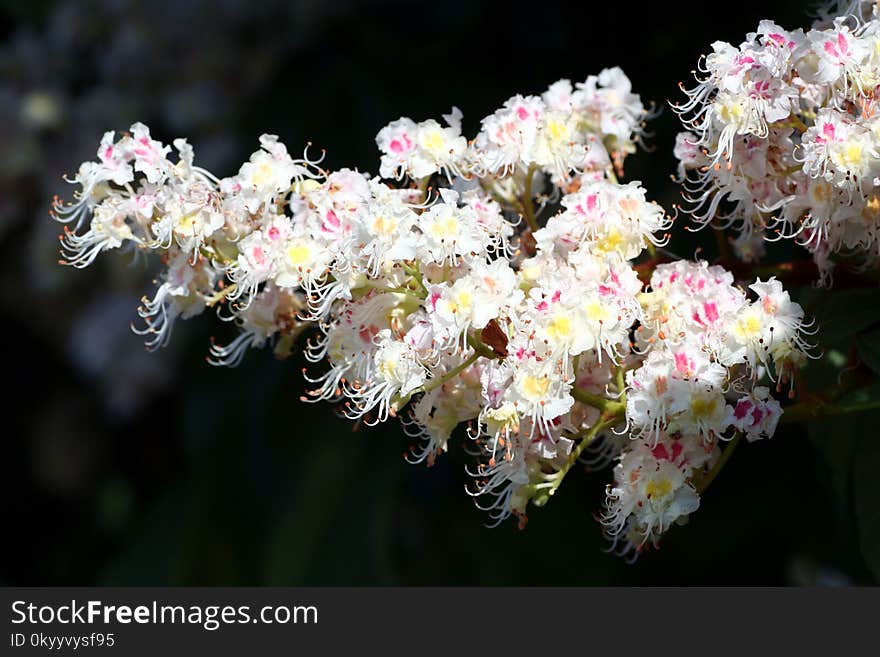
(129, 468)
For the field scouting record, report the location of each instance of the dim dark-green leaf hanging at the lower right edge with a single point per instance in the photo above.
(866, 494)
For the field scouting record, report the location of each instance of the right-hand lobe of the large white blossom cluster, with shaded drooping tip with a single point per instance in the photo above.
(705, 345)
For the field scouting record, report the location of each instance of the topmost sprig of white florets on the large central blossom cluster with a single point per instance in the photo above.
(582, 128)
